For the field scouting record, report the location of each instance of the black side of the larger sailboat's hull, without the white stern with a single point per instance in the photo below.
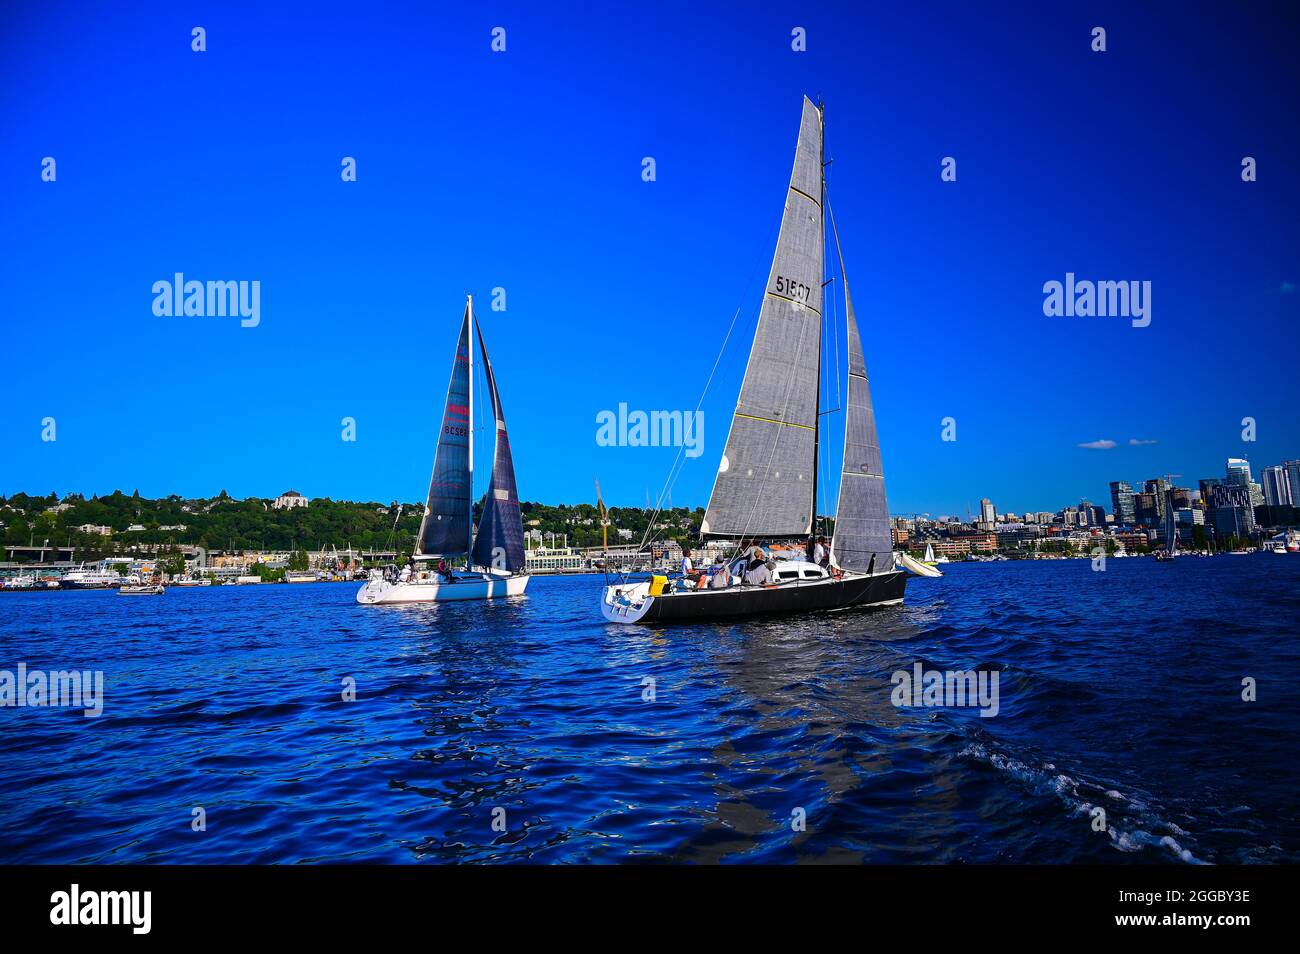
(765, 601)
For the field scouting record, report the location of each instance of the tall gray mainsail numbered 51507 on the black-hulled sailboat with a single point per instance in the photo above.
(765, 485)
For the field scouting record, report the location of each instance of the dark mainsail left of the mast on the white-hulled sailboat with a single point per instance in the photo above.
(445, 528)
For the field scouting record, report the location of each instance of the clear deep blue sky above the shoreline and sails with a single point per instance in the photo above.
(523, 171)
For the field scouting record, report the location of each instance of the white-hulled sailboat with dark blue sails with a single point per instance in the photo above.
(493, 558)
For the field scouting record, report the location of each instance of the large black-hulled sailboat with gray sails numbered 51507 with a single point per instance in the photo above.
(766, 485)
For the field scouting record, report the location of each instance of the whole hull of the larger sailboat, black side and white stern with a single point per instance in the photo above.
(635, 605)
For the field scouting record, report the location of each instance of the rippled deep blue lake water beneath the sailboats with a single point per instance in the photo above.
(1119, 690)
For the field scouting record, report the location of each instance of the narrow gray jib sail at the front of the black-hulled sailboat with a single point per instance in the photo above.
(863, 518)
